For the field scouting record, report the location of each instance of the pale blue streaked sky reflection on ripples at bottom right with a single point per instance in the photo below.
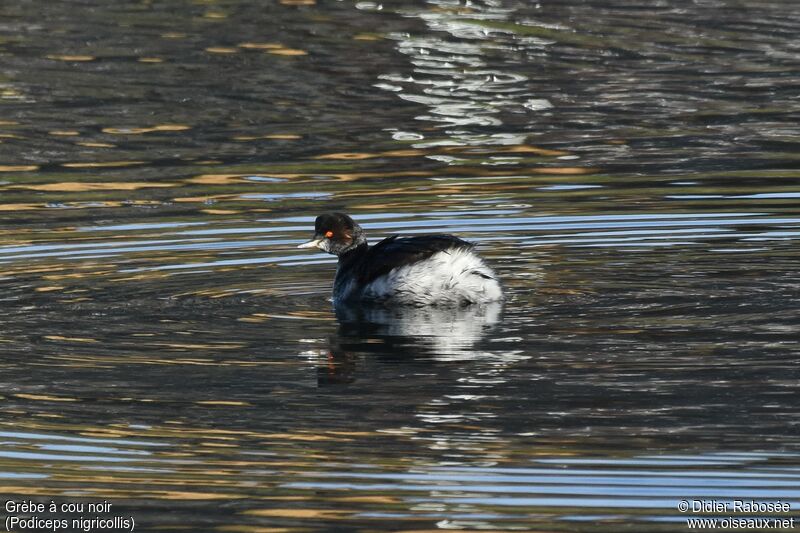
(643, 489)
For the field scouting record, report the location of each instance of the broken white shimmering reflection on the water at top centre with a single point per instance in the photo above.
(454, 75)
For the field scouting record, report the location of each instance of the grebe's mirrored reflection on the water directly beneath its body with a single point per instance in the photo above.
(405, 334)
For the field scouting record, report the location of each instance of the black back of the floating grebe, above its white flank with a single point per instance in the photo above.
(395, 252)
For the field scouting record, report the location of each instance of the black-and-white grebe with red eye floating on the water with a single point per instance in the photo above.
(425, 270)
